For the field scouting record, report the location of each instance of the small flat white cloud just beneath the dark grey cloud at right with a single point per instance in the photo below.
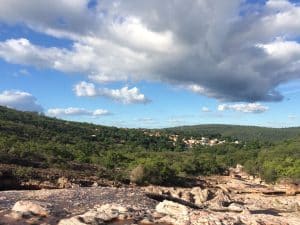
(245, 108)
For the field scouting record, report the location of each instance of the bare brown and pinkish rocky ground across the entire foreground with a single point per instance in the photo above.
(235, 199)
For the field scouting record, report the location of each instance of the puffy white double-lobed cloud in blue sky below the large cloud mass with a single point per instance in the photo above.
(123, 95)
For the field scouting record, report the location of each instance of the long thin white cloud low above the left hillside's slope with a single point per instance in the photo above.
(76, 112)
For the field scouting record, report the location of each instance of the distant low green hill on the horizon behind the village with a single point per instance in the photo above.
(242, 133)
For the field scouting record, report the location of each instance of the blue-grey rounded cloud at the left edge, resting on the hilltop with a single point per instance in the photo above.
(19, 100)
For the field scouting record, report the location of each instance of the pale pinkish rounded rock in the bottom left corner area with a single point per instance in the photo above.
(31, 208)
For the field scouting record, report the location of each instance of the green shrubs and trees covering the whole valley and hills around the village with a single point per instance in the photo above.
(37, 141)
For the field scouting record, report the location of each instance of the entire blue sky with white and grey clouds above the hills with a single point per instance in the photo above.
(153, 64)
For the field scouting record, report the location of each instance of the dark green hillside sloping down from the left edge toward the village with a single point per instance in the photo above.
(34, 137)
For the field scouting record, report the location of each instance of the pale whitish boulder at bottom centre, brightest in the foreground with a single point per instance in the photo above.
(172, 209)
